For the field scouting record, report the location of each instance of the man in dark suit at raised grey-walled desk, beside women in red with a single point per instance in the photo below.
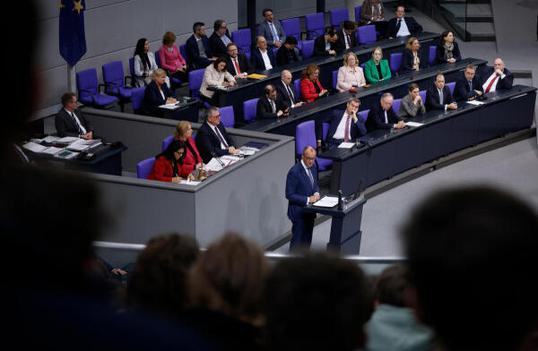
(212, 139)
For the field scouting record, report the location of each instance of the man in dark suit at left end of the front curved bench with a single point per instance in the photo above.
(345, 125)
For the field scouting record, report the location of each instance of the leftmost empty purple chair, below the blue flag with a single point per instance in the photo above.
(88, 90)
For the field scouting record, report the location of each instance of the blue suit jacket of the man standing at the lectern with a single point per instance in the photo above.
(299, 188)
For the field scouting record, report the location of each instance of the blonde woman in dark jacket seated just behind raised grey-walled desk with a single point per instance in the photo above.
(156, 94)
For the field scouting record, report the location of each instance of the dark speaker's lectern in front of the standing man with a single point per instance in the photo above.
(346, 225)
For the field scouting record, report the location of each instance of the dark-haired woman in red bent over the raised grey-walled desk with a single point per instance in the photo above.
(167, 167)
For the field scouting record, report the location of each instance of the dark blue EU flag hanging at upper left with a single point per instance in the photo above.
(72, 36)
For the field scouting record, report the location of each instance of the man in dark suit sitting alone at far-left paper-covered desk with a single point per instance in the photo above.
(70, 122)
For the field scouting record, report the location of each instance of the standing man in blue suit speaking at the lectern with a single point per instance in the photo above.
(302, 188)
